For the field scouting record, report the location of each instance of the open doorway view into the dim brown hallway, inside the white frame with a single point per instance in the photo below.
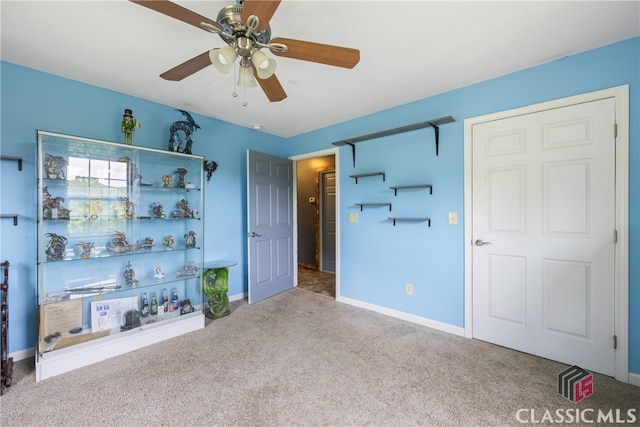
(316, 224)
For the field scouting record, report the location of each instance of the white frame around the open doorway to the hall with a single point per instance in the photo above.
(327, 152)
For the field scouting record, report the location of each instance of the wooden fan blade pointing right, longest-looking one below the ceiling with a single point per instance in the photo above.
(316, 52)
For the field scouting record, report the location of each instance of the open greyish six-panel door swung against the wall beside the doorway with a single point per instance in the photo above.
(269, 225)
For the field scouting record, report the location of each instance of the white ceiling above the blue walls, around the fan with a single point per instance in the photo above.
(409, 50)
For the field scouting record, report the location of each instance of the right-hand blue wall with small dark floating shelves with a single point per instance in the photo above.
(377, 259)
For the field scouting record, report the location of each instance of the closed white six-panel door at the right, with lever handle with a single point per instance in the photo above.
(543, 231)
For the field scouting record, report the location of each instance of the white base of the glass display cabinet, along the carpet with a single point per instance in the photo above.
(77, 356)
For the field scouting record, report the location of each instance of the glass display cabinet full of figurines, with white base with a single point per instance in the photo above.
(119, 249)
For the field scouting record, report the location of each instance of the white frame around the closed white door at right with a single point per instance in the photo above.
(620, 94)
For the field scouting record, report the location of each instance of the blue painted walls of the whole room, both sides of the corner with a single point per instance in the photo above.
(376, 257)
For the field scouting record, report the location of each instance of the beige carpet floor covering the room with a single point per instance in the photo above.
(302, 359)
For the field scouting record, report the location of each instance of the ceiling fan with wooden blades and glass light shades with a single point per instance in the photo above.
(245, 29)
